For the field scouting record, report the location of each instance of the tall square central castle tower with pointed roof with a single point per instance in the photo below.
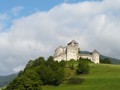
(72, 50)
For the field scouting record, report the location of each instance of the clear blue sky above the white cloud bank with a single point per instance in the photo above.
(28, 7)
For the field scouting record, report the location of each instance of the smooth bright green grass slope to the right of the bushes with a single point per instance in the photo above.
(101, 77)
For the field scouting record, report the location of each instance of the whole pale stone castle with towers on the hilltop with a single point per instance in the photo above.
(72, 51)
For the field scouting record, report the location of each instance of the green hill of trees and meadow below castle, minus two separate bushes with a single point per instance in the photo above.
(40, 71)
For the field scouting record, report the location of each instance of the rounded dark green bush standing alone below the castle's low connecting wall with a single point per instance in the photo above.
(82, 67)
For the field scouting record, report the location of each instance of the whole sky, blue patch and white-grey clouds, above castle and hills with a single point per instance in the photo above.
(30, 29)
